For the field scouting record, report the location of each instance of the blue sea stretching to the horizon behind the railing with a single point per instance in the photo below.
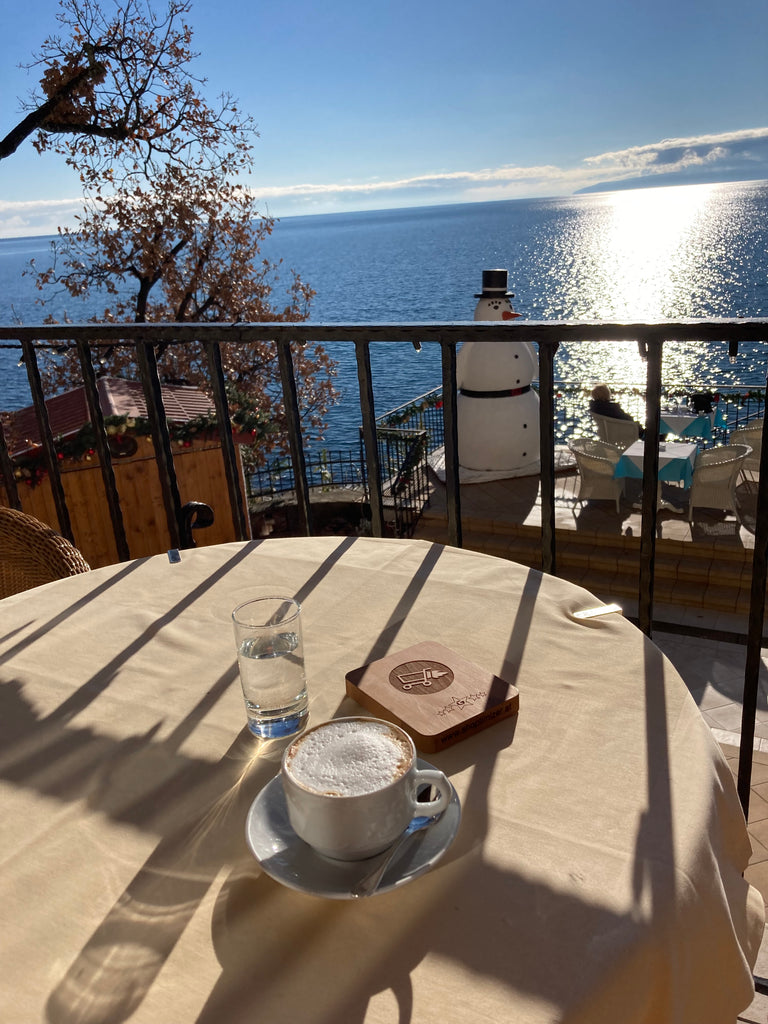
(639, 255)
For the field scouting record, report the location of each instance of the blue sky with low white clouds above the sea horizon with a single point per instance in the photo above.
(372, 106)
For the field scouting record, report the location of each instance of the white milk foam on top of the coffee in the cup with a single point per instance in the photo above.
(347, 759)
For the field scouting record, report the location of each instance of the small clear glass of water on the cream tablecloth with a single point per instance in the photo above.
(271, 659)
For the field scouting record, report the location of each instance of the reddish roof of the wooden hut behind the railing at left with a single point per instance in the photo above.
(69, 412)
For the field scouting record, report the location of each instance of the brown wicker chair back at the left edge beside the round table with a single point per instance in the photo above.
(32, 553)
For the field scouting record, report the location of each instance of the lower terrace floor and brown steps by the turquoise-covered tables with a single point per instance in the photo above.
(706, 565)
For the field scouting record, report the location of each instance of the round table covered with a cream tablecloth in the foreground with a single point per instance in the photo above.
(596, 876)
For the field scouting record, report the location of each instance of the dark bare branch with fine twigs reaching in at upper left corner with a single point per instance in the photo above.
(118, 83)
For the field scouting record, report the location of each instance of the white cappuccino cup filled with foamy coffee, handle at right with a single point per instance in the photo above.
(352, 787)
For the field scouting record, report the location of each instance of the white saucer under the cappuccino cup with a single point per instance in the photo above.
(289, 861)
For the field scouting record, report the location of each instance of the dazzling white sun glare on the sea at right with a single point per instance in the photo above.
(650, 255)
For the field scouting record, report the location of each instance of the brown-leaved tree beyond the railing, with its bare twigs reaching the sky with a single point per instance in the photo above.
(167, 233)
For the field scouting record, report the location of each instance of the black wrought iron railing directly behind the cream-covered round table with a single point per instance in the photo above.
(147, 338)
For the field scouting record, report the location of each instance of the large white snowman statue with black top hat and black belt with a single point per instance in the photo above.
(498, 410)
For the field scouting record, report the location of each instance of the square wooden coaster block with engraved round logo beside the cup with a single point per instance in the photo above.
(437, 696)
